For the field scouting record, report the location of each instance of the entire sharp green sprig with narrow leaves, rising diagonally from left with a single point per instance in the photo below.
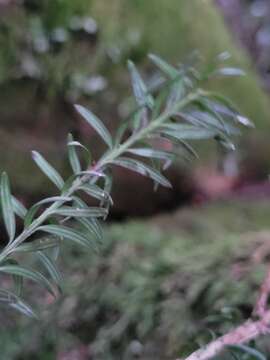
(175, 111)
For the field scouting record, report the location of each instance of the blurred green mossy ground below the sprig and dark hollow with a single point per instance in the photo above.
(158, 285)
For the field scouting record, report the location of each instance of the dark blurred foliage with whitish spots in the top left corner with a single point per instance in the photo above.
(38, 42)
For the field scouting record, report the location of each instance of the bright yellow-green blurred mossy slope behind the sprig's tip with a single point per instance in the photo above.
(174, 29)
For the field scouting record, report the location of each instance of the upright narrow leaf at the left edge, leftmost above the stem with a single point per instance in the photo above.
(7, 207)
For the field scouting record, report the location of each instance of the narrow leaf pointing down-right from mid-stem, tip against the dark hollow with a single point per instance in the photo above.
(142, 169)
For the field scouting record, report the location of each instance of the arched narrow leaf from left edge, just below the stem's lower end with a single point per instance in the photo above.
(29, 274)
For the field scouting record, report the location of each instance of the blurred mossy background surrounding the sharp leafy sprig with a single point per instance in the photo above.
(150, 292)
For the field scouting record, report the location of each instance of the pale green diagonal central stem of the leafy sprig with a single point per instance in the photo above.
(112, 155)
